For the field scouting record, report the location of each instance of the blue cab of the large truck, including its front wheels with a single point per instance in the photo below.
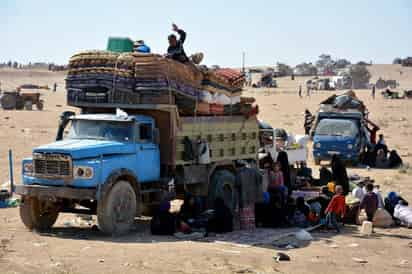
(104, 157)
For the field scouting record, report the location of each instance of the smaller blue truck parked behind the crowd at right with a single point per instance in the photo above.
(339, 132)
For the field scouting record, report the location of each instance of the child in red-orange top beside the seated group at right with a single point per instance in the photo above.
(336, 207)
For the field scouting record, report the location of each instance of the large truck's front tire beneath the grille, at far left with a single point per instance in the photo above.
(38, 215)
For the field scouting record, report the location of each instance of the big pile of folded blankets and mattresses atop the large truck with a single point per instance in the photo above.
(105, 77)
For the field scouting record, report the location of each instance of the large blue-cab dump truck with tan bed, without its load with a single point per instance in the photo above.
(119, 164)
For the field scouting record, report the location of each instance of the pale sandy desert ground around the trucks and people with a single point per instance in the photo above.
(75, 248)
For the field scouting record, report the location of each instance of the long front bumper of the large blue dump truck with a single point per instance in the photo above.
(52, 192)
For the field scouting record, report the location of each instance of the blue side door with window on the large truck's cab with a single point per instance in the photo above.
(147, 153)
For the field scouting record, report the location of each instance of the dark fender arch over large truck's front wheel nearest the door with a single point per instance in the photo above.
(117, 175)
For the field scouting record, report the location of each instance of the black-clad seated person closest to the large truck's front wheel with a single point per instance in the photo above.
(163, 222)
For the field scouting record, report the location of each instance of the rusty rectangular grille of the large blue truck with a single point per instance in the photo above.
(52, 165)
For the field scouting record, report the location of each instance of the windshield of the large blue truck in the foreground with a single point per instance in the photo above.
(101, 130)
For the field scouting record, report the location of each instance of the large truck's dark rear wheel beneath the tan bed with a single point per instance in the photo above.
(223, 186)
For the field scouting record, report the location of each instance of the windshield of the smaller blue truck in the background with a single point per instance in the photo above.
(337, 127)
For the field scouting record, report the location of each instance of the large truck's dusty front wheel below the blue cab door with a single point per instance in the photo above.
(117, 210)
